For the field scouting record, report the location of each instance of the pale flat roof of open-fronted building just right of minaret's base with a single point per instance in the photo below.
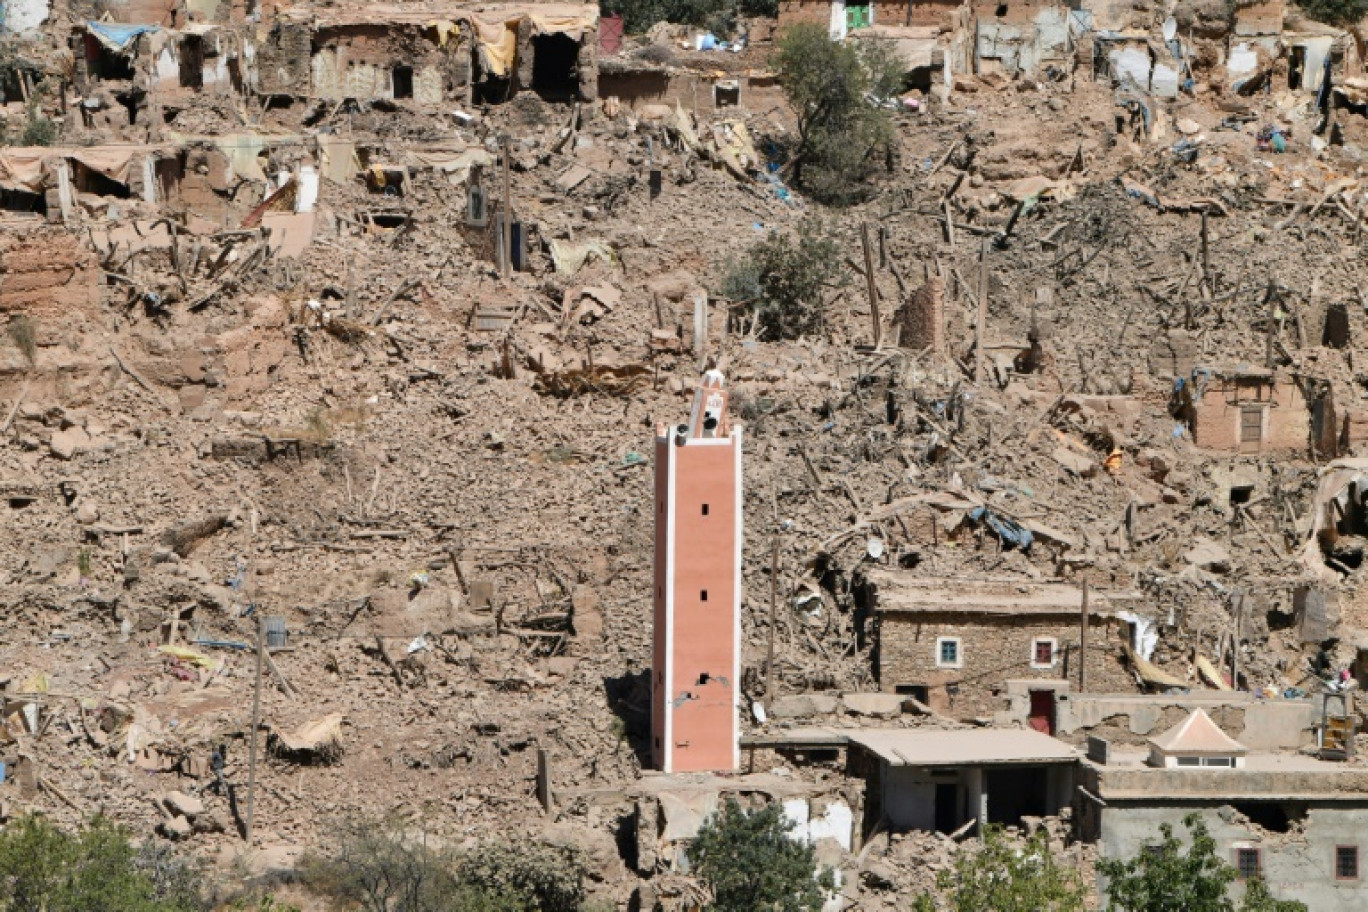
(969, 747)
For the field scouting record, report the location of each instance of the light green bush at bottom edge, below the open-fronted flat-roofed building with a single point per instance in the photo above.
(1003, 877)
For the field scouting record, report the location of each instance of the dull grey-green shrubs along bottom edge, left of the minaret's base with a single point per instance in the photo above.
(381, 868)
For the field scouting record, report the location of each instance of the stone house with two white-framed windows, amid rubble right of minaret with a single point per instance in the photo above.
(956, 643)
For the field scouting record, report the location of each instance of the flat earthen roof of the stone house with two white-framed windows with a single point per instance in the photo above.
(898, 593)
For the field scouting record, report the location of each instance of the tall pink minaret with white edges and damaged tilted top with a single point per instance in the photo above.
(697, 668)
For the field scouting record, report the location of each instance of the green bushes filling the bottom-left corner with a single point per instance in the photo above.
(44, 869)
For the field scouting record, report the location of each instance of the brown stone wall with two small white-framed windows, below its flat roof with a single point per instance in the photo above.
(994, 649)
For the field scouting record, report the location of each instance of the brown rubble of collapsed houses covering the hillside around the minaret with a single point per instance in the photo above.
(291, 393)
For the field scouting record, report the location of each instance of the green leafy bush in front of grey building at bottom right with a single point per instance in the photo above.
(1173, 879)
